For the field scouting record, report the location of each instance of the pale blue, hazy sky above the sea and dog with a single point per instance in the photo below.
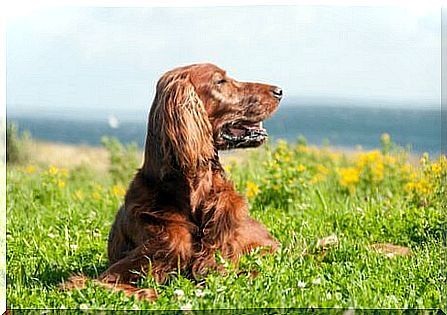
(87, 60)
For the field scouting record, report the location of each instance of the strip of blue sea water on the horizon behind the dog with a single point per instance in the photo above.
(341, 126)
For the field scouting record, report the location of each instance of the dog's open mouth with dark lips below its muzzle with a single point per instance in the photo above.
(243, 134)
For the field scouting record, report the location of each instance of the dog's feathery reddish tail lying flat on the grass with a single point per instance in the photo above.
(79, 282)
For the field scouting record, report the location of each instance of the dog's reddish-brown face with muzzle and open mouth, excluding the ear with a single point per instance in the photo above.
(235, 109)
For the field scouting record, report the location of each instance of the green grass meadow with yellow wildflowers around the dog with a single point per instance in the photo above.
(58, 220)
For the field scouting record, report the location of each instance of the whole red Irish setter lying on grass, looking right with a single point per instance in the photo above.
(180, 208)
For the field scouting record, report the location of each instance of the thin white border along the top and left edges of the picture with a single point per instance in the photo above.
(18, 7)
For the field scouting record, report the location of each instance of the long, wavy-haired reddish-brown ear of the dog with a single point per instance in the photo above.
(179, 132)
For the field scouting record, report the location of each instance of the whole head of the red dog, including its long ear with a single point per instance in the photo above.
(198, 109)
